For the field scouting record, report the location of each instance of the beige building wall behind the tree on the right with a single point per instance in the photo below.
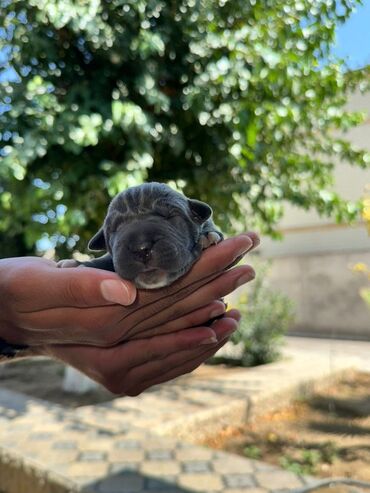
(312, 263)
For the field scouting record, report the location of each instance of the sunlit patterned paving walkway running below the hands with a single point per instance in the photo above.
(147, 444)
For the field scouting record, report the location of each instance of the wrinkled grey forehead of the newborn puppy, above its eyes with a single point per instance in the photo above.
(146, 199)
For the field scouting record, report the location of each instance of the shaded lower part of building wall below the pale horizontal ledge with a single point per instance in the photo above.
(326, 293)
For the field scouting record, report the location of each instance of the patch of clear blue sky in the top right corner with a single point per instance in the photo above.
(353, 38)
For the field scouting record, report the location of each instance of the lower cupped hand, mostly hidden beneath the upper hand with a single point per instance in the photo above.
(133, 366)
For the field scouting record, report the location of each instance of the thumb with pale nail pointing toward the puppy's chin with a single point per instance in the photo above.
(75, 287)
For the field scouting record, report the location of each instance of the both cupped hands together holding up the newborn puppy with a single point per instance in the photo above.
(126, 340)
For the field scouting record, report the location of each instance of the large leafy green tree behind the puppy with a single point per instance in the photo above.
(237, 102)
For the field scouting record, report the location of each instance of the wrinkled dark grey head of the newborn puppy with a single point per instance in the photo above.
(152, 233)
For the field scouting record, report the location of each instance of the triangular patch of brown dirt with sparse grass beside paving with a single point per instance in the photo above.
(325, 435)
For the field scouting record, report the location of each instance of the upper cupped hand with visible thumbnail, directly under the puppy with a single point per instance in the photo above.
(42, 304)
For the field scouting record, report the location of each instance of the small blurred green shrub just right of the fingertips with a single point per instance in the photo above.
(266, 316)
